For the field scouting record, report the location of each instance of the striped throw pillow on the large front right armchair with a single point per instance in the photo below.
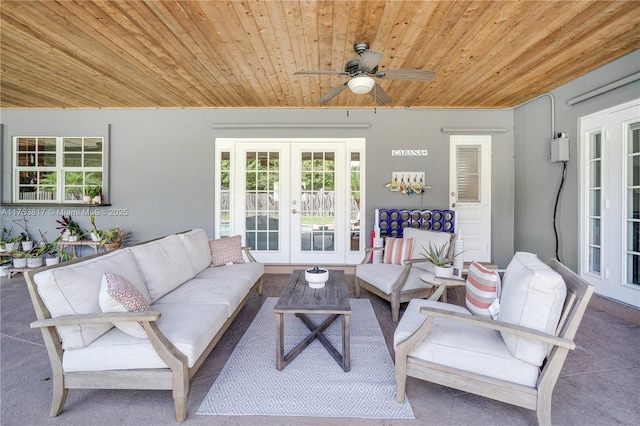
(481, 290)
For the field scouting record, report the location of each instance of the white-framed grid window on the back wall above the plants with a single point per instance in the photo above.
(57, 169)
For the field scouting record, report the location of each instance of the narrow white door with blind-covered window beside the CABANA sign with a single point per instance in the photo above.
(470, 193)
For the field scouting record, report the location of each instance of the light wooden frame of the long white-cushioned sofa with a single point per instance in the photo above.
(176, 377)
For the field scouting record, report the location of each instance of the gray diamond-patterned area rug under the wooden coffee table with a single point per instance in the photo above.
(313, 384)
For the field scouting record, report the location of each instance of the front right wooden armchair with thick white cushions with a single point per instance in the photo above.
(515, 359)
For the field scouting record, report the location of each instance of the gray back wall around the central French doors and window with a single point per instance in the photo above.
(162, 161)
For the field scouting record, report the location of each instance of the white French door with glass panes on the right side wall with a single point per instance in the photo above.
(610, 202)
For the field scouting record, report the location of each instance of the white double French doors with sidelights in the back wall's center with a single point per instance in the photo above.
(294, 201)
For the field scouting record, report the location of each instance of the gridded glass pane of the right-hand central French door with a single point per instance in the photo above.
(317, 201)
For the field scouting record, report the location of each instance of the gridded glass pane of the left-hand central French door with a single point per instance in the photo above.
(261, 205)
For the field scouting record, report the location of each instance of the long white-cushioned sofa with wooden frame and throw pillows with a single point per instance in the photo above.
(184, 305)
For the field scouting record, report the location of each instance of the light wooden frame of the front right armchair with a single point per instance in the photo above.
(536, 398)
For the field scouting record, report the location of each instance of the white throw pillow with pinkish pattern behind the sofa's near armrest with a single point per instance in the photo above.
(119, 295)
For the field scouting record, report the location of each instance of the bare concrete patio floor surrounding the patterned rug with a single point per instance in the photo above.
(599, 384)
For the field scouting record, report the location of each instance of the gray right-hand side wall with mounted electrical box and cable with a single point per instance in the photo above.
(537, 180)
